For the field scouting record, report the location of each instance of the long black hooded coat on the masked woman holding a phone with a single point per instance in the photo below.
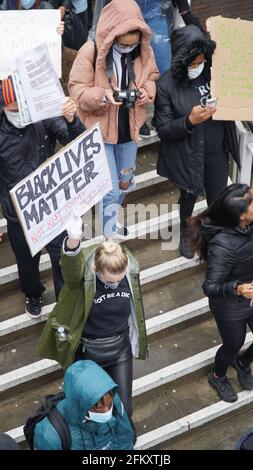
(181, 151)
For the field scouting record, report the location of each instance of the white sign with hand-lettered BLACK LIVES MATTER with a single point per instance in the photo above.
(74, 179)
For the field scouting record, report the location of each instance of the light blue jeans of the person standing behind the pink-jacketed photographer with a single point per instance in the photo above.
(160, 42)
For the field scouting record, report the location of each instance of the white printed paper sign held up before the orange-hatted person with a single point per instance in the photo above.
(42, 89)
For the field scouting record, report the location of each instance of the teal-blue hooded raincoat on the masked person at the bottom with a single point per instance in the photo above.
(84, 384)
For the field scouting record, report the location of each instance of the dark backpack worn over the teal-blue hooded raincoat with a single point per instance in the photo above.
(49, 410)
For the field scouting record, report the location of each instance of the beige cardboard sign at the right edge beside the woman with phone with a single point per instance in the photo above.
(232, 68)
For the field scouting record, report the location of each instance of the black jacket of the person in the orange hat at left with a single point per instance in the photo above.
(23, 150)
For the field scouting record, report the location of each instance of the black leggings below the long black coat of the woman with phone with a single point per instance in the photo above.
(215, 180)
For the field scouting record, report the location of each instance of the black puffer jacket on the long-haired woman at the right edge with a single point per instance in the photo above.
(229, 263)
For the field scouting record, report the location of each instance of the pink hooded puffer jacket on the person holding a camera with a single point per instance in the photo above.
(89, 79)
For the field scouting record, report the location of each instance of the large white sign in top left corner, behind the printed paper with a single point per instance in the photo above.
(23, 30)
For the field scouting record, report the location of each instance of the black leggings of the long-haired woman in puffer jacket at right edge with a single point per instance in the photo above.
(233, 336)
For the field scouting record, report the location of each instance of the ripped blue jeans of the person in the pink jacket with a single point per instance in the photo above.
(121, 159)
